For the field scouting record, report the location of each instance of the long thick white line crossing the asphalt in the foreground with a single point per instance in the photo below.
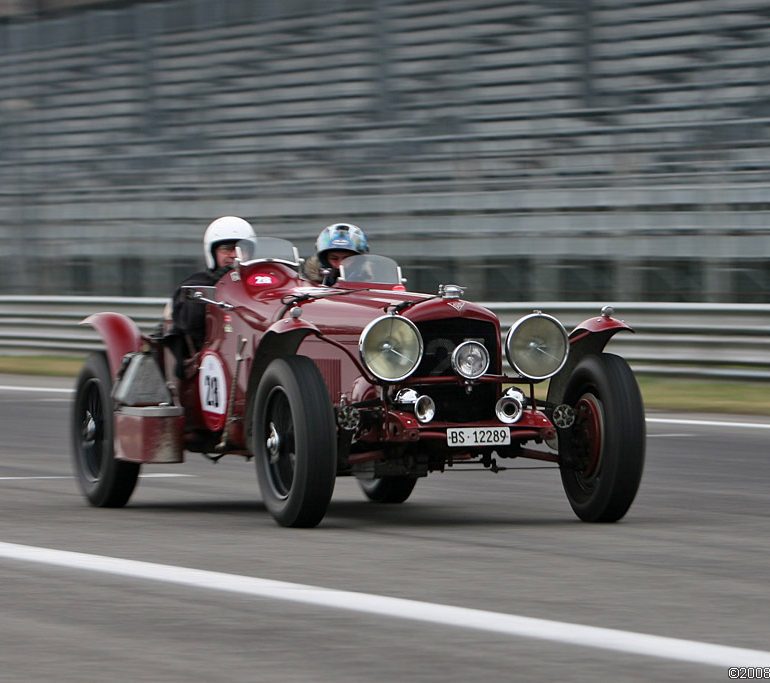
(413, 610)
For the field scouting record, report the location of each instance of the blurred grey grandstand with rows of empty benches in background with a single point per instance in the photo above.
(538, 149)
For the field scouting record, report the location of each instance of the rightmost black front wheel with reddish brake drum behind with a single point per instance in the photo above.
(602, 455)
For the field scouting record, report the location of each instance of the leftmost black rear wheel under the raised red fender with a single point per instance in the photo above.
(105, 481)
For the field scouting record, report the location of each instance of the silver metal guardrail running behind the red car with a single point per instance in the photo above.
(694, 340)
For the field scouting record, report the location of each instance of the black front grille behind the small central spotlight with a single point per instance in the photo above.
(440, 338)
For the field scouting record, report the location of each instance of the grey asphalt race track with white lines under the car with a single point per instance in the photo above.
(477, 576)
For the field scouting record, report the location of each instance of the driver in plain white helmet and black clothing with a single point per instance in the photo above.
(189, 317)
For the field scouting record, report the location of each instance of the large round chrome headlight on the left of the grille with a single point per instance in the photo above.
(391, 347)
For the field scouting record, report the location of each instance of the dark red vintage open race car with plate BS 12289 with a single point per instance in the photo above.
(363, 379)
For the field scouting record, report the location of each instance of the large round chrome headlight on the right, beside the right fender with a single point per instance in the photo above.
(537, 346)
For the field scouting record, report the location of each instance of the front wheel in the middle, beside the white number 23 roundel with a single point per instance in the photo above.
(294, 441)
